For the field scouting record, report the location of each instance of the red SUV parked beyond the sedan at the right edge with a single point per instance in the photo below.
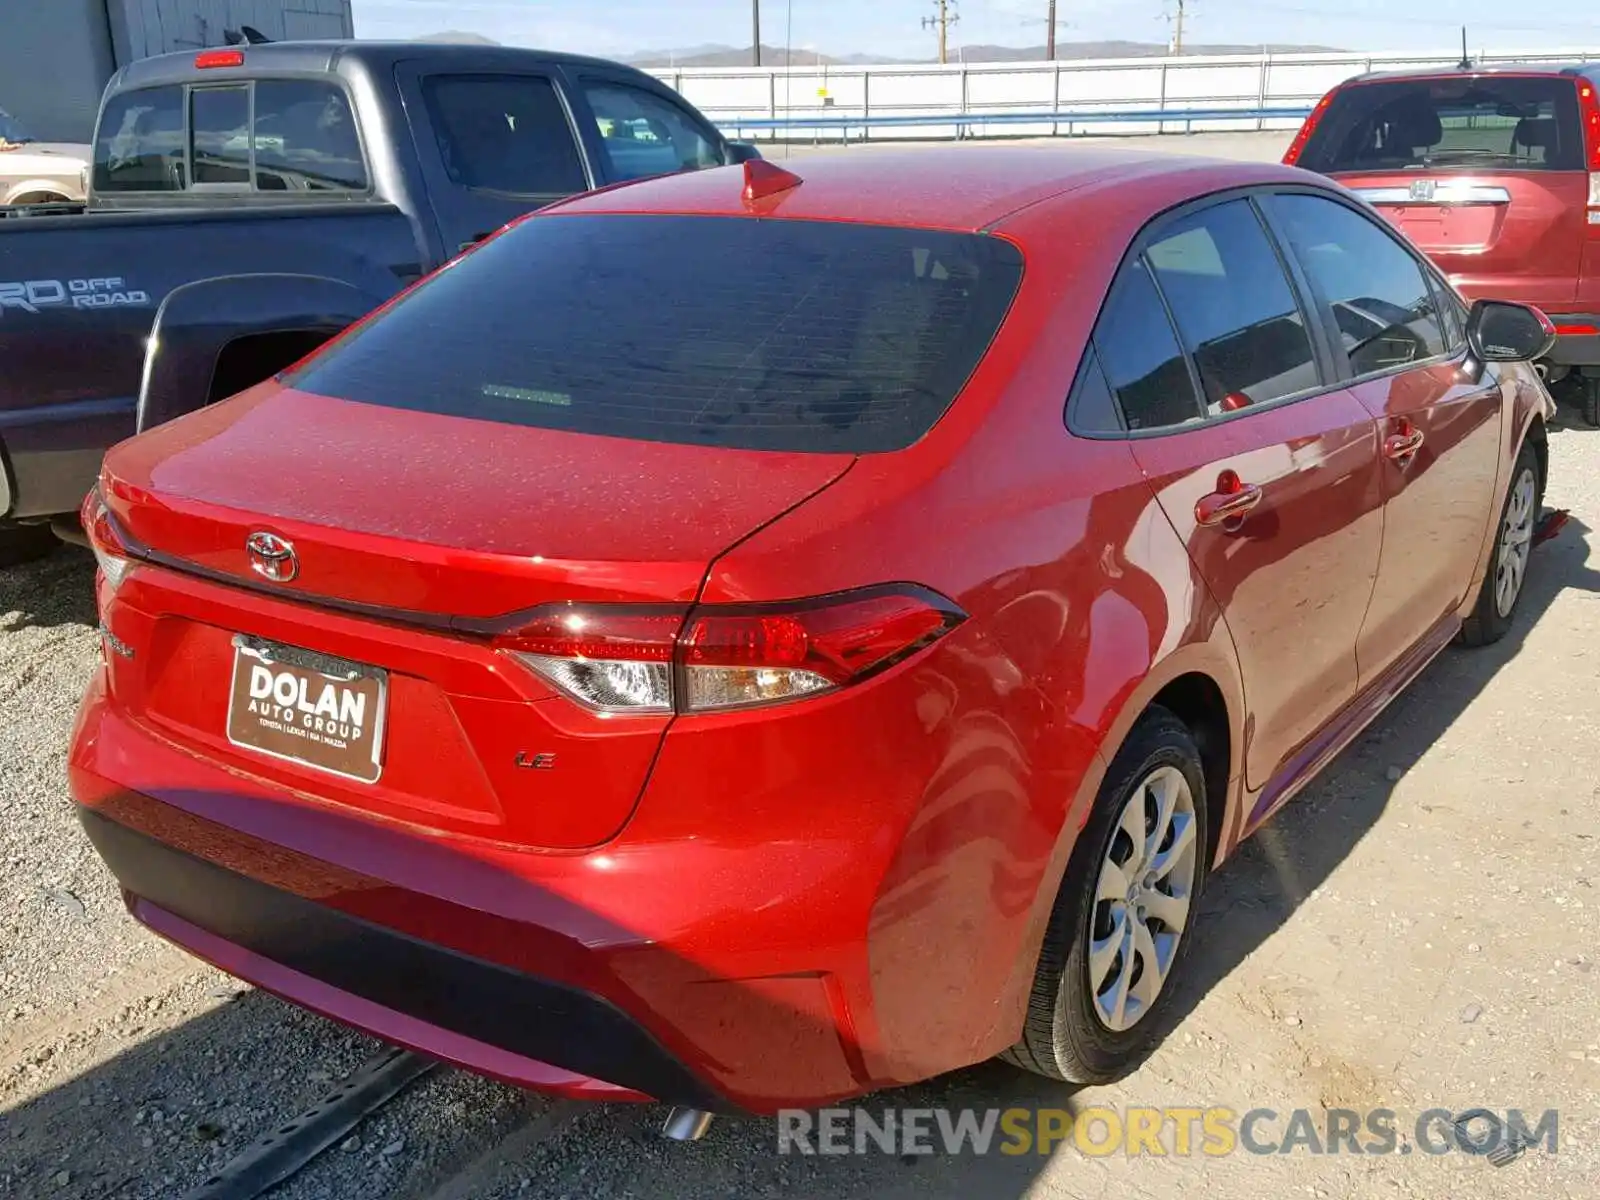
(1495, 174)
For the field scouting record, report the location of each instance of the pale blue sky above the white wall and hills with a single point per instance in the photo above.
(894, 26)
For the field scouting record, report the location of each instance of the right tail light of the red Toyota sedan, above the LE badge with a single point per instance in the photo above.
(727, 657)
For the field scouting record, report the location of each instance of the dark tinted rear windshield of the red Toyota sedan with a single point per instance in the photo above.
(729, 332)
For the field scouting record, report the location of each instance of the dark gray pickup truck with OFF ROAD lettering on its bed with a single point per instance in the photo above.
(247, 204)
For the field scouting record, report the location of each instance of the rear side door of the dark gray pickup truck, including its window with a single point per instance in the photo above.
(494, 146)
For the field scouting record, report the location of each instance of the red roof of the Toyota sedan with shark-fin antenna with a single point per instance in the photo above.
(959, 188)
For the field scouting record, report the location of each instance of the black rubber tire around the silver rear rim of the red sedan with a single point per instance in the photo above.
(1063, 1036)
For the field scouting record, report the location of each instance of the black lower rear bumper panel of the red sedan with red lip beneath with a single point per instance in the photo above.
(527, 1031)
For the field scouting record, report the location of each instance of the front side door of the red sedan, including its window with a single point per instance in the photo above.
(1399, 346)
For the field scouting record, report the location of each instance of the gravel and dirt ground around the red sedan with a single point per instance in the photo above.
(1415, 932)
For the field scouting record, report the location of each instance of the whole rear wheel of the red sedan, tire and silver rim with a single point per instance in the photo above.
(1124, 918)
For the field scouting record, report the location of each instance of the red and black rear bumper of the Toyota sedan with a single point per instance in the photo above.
(724, 966)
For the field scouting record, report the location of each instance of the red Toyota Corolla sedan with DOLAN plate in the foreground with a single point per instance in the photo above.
(748, 641)
